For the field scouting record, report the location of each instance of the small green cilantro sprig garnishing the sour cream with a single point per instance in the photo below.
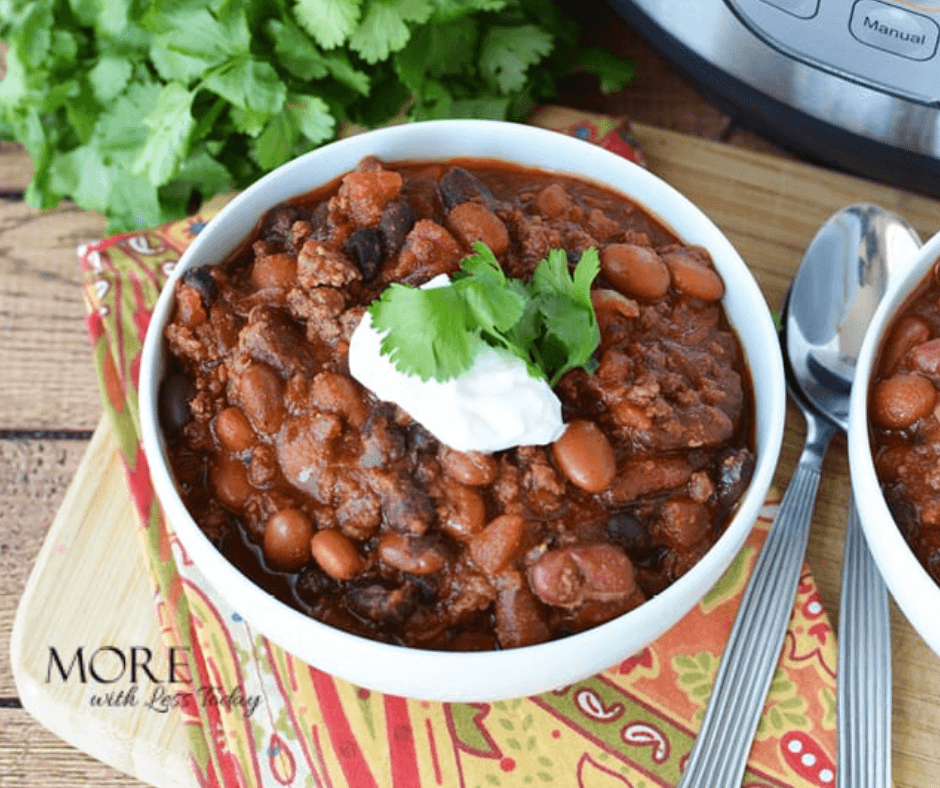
(548, 322)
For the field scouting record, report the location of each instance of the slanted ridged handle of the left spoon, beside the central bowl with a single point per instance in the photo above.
(719, 755)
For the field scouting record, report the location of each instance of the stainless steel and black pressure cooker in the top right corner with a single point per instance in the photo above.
(854, 84)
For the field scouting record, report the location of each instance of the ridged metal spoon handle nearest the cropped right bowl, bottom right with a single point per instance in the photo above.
(864, 670)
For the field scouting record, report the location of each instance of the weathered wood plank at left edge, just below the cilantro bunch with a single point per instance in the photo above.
(42, 319)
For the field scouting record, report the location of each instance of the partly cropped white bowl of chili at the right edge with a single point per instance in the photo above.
(893, 428)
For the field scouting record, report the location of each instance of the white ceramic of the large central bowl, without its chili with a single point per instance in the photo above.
(512, 672)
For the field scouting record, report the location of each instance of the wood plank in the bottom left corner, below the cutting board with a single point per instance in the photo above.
(30, 755)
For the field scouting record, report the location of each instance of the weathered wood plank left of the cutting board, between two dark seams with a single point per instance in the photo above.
(34, 476)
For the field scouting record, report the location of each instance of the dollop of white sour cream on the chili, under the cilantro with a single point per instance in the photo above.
(495, 405)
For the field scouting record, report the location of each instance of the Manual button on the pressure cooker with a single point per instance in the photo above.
(894, 29)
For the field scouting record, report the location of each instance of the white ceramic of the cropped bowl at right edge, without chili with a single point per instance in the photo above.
(915, 591)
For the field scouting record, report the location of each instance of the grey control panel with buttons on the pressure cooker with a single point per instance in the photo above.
(890, 46)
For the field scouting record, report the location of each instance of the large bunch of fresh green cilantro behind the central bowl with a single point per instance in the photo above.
(142, 108)
